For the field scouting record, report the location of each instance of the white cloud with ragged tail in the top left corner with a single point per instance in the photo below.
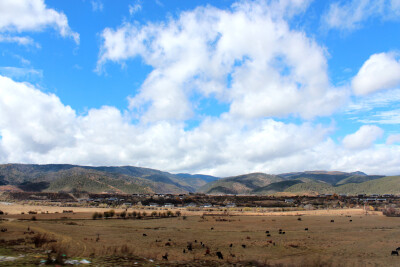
(18, 16)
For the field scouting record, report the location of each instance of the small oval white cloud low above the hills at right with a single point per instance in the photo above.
(363, 138)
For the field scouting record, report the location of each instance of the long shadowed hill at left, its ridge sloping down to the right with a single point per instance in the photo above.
(125, 179)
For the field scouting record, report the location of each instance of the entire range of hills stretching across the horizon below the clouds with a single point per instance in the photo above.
(129, 179)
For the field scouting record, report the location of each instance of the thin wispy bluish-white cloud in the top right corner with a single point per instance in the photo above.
(349, 15)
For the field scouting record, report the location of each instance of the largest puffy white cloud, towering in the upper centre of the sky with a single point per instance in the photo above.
(207, 52)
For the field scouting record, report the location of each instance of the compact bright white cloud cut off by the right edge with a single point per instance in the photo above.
(380, 71)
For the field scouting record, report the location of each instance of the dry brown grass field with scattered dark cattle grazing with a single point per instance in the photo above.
(366, 241)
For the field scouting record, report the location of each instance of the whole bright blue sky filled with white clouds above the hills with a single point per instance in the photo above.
(214, 87)
